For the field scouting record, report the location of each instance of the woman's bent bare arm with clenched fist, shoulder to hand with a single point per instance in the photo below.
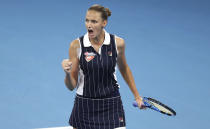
(71, 66)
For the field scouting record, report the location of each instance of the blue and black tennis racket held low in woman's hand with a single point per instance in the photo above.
(157, 106)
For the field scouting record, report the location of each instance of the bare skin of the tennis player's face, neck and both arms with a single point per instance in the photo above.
(95, 22)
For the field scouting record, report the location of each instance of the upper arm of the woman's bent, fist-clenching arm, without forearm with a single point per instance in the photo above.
(73, 57)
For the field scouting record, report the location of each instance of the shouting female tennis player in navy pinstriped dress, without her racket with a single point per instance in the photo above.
(91, 70)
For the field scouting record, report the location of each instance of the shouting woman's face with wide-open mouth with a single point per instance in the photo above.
(94, 23)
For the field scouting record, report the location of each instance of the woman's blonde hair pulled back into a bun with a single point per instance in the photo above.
(105, 12)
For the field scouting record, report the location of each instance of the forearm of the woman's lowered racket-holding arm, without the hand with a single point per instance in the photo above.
(128, 77)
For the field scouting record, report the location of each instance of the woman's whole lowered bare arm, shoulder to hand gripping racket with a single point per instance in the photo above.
(126, 72)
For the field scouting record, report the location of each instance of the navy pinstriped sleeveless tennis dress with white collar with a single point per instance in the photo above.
(98, 103)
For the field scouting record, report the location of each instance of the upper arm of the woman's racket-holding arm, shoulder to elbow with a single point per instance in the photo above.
(121, 60)
